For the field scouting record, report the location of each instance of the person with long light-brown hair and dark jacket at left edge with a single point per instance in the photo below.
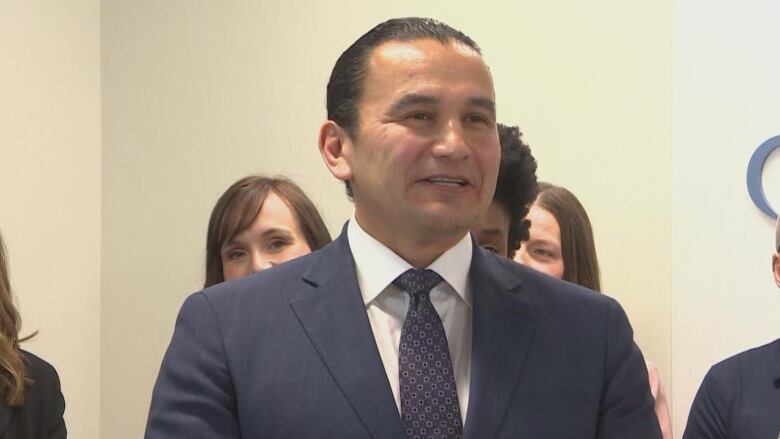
(32, 404)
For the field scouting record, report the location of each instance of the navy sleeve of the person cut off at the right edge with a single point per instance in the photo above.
(706, 418)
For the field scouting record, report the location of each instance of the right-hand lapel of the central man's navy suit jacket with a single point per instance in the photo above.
(504, 322)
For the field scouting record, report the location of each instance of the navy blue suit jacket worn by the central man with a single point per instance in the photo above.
(289, 353)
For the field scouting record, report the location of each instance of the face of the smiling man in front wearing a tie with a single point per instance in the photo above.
(424, 161)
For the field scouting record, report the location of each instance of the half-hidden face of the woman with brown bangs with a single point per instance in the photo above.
(274, 237)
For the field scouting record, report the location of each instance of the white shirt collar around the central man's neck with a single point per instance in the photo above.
(377, 266)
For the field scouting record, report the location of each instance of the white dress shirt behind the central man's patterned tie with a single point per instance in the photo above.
(377, 267)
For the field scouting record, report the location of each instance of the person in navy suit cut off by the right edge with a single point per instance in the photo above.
(740, 396)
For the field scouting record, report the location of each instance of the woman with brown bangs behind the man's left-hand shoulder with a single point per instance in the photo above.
(260, 222)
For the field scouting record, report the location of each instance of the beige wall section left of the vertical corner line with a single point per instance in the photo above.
(50, 188)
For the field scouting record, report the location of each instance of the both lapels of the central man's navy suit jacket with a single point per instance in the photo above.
(334, 317)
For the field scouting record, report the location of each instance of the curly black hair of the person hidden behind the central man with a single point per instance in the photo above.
(516, 188)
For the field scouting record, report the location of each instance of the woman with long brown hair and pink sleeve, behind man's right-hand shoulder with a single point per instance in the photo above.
(561, 244)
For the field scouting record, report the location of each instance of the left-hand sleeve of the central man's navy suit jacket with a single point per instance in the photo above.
(194, 395)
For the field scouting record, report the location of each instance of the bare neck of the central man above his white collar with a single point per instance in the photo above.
(419, 248)
